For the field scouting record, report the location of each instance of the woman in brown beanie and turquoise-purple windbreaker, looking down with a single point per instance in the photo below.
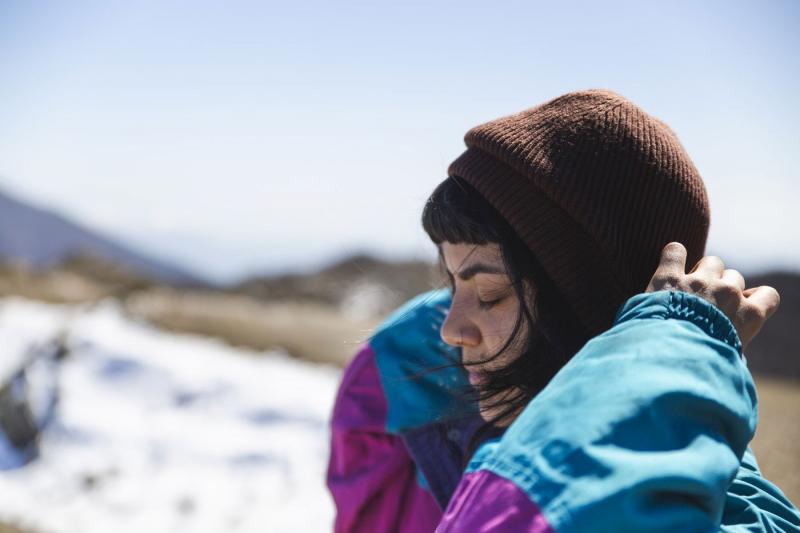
(615, 398)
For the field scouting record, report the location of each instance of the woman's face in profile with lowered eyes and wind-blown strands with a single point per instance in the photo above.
(483, 311)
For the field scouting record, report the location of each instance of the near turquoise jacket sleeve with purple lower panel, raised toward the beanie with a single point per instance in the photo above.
(643, 430)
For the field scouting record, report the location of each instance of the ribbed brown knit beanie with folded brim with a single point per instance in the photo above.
(596, 188)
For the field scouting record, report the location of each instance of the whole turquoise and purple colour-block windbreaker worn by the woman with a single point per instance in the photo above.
(646, 428)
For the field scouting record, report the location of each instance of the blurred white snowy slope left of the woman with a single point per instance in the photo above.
(162, 432)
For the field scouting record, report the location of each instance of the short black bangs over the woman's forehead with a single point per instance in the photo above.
(457, 213)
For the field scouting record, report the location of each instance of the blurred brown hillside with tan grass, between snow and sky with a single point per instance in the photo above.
(322, 316)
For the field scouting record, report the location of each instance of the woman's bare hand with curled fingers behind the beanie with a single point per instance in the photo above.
(747, 309)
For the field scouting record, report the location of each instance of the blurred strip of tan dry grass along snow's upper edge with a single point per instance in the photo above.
(315, 331)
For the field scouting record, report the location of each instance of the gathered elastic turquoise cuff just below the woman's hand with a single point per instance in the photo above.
(678, 304)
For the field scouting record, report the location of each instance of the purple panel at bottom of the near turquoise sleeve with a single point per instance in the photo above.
(485, 502)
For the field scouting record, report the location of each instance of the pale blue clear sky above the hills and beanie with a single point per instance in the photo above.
(236, 137)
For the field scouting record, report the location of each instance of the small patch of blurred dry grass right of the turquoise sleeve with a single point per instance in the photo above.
(777, 441)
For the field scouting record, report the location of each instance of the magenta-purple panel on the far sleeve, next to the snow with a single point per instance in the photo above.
(370, 473)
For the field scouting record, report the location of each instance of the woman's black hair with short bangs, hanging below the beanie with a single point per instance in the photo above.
(457, 213)
